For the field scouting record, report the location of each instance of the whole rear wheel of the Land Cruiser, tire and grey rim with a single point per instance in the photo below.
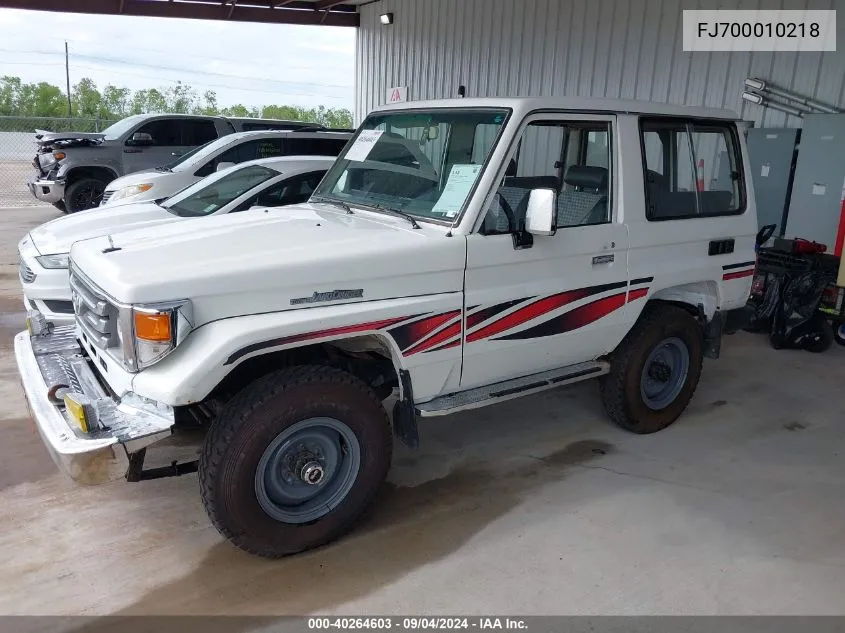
(655, 370)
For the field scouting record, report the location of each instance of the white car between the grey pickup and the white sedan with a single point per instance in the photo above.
(164, 181)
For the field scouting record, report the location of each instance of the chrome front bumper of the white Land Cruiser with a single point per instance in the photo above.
(125, 426)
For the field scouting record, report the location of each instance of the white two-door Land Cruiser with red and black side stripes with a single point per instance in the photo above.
(459, 253)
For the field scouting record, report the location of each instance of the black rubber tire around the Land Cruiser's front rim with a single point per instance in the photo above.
(245, 430)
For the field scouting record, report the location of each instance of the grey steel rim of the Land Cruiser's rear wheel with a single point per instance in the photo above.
(664, 373)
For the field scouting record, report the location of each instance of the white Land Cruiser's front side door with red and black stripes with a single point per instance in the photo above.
(556, 302)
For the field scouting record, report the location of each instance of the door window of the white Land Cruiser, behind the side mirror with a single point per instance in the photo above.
(571, 157)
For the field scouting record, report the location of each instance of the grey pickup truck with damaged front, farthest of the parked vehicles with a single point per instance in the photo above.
(73, 168)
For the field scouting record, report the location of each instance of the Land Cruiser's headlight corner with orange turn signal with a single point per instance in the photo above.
(148, 333)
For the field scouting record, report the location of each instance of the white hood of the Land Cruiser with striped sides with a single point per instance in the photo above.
(268, 260)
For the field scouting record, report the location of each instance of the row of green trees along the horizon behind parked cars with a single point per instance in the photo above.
(21, 99)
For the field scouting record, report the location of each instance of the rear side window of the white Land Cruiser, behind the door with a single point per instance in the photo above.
(683, 161)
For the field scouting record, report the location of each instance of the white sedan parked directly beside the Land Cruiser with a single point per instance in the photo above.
(267, 182)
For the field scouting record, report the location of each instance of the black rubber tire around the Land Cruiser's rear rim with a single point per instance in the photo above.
(621, 388)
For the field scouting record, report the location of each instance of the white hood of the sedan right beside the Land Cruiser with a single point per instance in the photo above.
(58, 235)
